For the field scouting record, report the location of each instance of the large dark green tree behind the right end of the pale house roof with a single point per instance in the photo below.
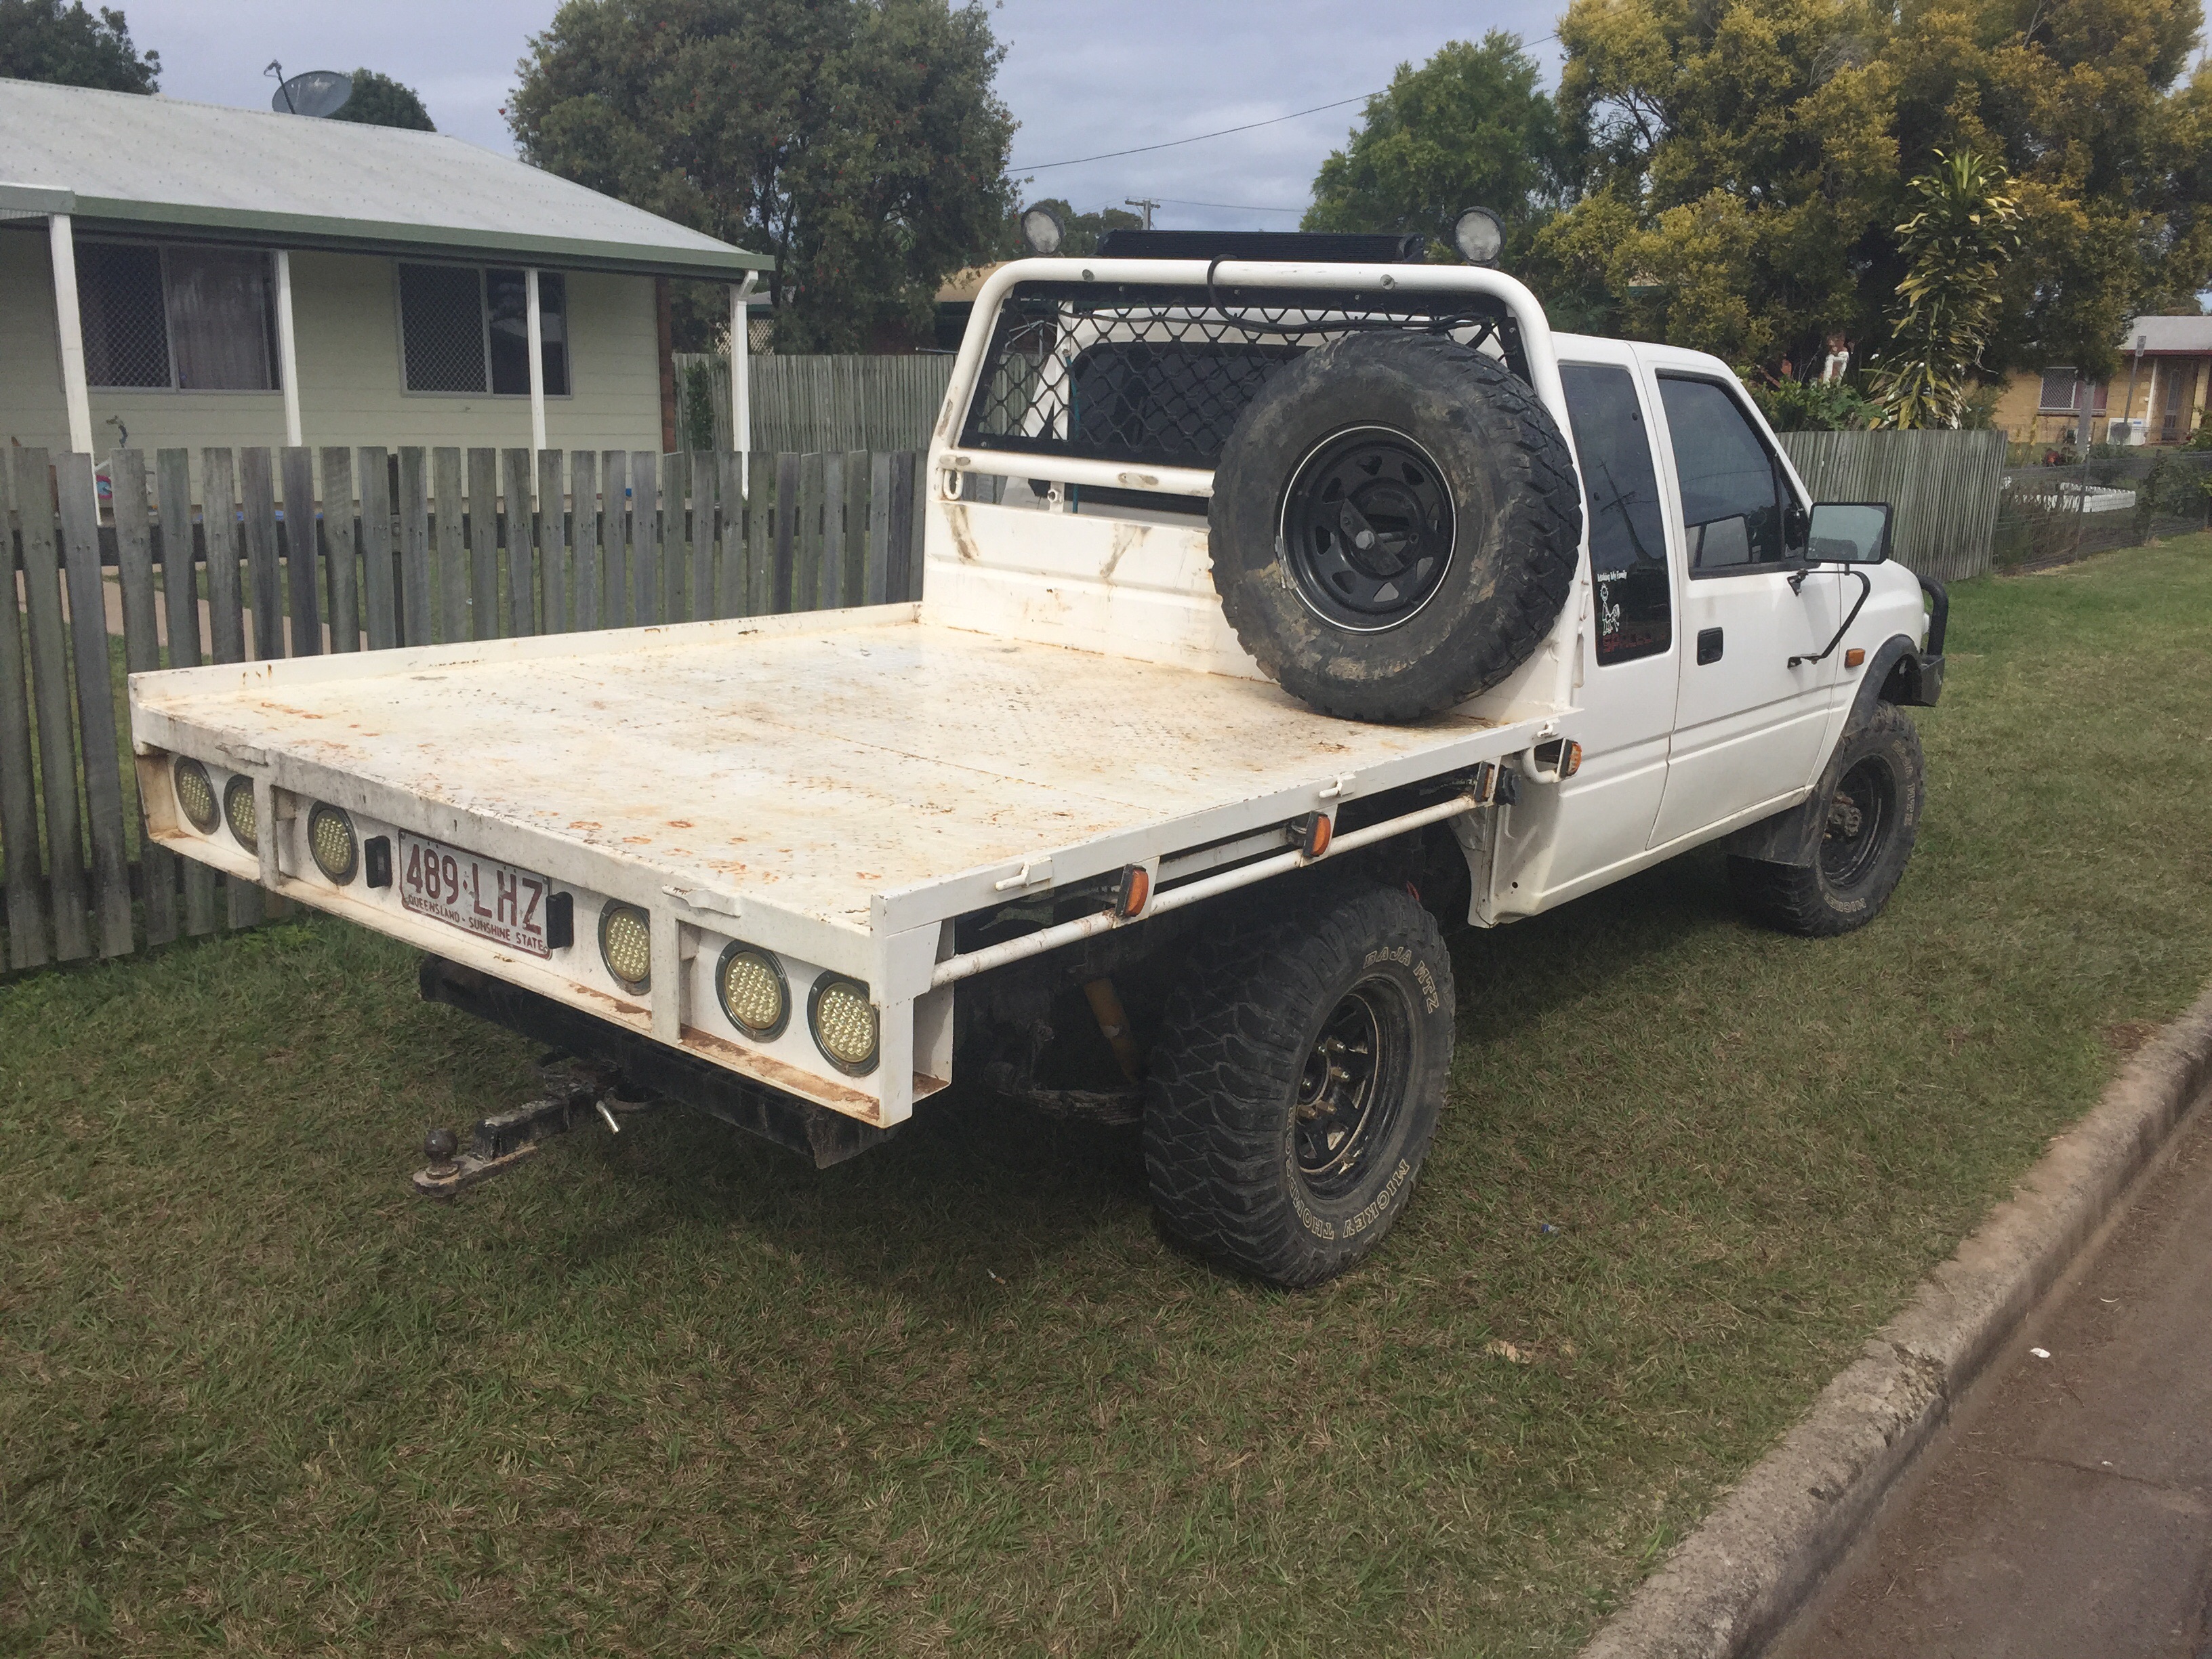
(859, 143)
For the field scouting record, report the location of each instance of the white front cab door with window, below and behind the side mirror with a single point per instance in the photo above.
(1749, 724)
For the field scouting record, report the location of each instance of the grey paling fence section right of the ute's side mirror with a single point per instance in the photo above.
(1945, 488)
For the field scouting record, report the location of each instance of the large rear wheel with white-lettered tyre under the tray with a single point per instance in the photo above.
(1297, 1083)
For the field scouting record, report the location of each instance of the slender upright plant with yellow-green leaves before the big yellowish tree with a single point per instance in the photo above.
(1957, 247)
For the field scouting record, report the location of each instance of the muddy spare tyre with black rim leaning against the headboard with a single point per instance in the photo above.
(1395, 525)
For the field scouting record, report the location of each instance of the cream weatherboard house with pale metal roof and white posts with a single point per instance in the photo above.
(200, 275)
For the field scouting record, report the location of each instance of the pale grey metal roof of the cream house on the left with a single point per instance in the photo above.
(134, 163)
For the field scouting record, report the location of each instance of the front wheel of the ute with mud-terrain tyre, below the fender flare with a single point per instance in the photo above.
(1870, 815)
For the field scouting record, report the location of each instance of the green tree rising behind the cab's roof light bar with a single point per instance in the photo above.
(1468, 129)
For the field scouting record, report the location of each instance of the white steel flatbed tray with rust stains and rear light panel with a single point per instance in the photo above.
(831, 786)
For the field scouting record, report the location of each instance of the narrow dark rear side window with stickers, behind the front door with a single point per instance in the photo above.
(1636, 616)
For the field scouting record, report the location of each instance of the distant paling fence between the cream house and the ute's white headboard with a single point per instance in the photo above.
(817, 401)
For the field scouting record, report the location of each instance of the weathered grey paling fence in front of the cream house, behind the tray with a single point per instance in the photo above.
(227, 556)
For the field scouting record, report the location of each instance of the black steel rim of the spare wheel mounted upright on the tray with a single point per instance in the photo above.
(1368, 530)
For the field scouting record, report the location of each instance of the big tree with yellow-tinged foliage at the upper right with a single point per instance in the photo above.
(1751, 160)
